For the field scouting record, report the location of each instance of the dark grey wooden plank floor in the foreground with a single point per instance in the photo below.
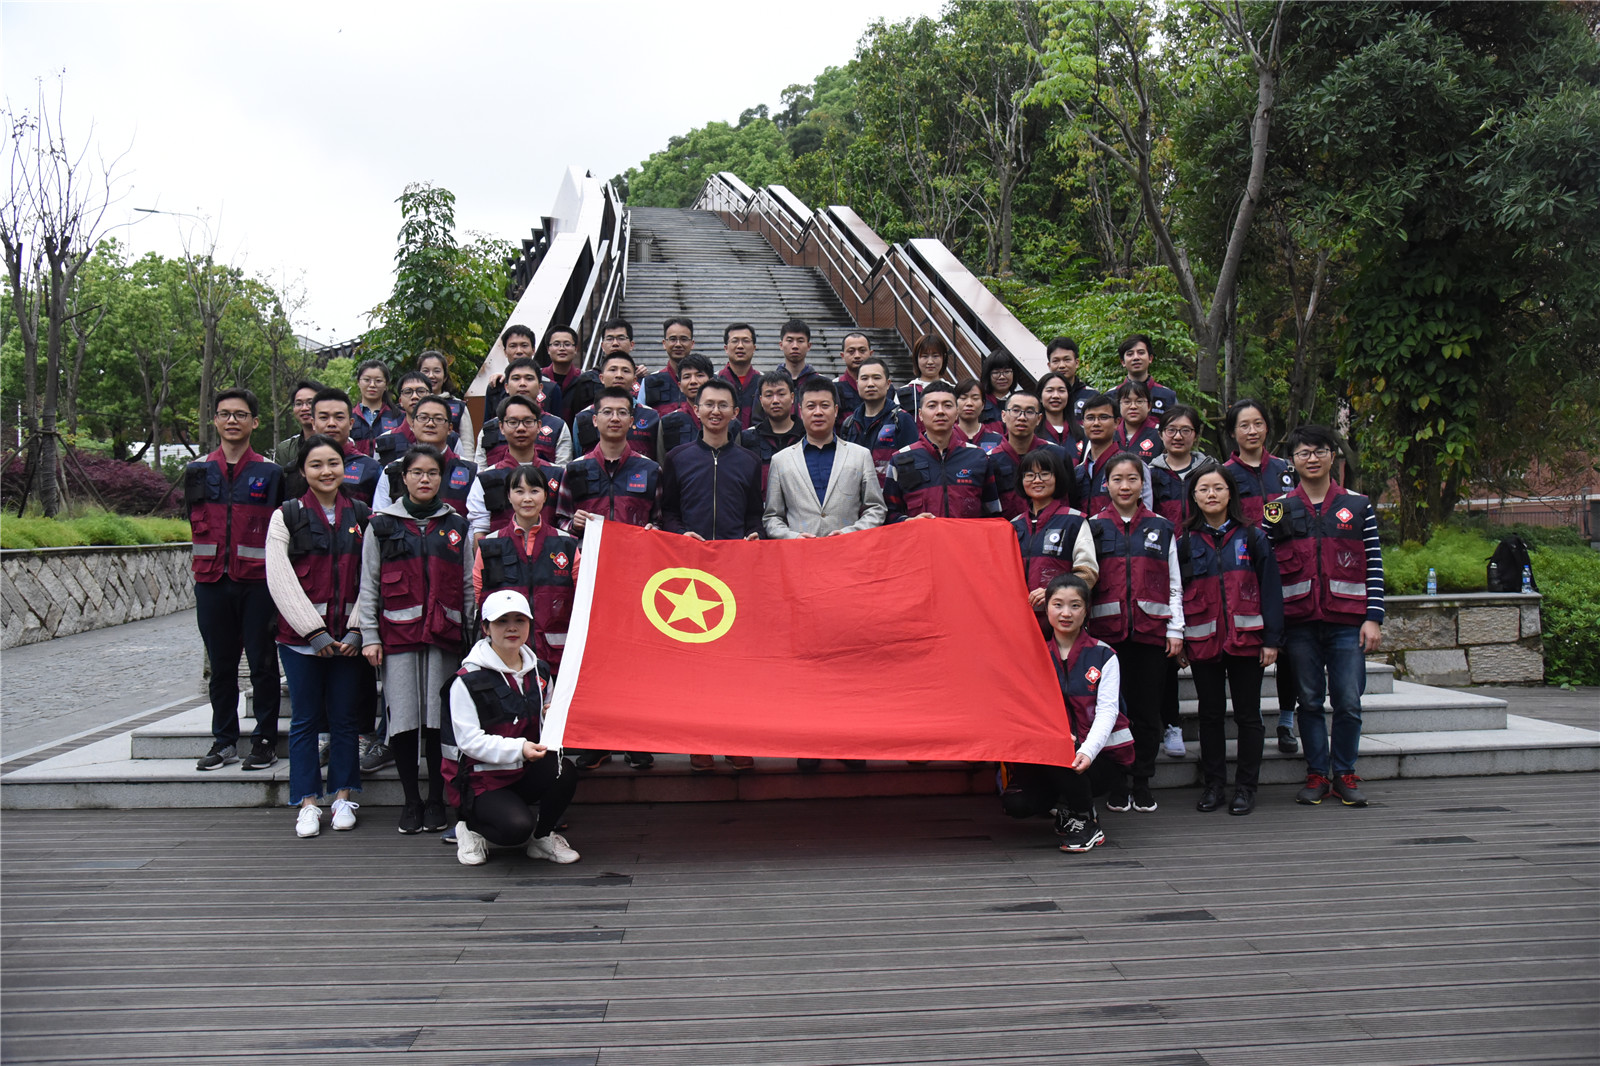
(1455, 921)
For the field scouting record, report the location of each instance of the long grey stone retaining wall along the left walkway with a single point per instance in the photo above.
(57, 591)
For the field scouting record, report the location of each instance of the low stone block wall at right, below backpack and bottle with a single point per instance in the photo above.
(1466, 639)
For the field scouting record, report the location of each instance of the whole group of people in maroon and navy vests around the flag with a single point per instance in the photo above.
(394, 537)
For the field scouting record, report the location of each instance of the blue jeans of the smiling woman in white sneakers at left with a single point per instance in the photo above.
(326, 697)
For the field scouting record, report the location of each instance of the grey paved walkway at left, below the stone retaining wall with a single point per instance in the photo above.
(92, 679)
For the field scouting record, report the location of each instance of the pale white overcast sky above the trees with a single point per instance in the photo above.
(294, 127)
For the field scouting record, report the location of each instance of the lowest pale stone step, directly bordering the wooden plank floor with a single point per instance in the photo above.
(102, 775)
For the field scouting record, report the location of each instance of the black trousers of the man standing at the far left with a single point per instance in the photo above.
(239, 617)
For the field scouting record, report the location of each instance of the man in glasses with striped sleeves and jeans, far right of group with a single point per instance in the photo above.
(1326, 540)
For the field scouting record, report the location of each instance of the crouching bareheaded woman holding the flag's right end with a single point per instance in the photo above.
(1092, 694)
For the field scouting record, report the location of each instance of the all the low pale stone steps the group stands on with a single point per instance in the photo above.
(1409, 732)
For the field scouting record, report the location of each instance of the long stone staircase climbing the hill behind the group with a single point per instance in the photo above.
(690, 263)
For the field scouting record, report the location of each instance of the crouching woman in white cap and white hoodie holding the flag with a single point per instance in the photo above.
(495, 767)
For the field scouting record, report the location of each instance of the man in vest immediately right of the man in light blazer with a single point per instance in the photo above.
(935, 478)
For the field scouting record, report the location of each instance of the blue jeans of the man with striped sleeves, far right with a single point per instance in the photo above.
(1334, 652)
